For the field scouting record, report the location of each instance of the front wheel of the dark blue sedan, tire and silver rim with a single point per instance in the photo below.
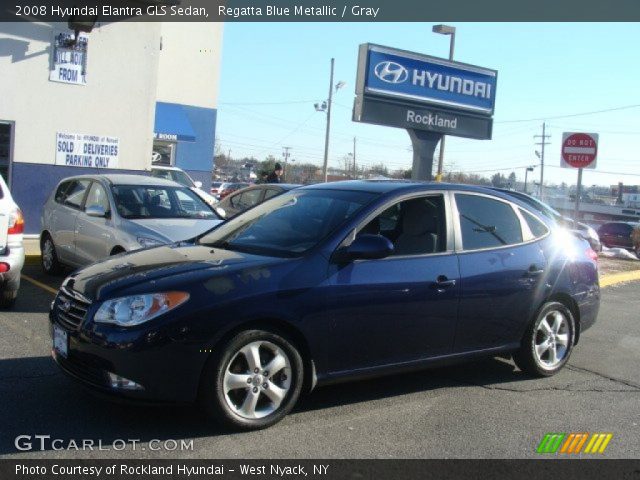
(236, 389)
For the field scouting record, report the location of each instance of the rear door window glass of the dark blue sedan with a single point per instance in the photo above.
(487, 223)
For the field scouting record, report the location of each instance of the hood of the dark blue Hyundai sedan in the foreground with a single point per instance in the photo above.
(130, 270)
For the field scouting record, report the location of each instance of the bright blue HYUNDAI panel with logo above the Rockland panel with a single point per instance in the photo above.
(429, 81)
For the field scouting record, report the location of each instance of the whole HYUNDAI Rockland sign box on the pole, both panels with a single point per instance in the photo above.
(425, 93)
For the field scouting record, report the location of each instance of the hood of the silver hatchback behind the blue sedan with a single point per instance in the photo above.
(173, 229)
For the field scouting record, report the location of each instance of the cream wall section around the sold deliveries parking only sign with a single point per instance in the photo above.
(118, 100)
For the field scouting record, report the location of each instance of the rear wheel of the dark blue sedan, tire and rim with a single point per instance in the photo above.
(548, 342)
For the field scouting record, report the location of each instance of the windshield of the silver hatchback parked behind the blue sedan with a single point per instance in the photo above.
(152, 201)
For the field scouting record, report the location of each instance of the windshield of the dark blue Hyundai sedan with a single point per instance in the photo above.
(290, 224)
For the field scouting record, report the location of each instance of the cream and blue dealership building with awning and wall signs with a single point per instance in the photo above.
(117, 99)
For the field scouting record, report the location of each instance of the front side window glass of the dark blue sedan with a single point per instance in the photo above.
(415, 227)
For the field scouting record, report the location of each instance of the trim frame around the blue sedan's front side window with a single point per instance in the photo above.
(450, 244)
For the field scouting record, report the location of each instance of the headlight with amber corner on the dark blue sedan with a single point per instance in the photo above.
(137, 309)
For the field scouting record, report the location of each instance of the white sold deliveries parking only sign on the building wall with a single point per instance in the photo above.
(91, 151)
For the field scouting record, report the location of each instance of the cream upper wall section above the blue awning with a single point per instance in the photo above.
(189, 68)
